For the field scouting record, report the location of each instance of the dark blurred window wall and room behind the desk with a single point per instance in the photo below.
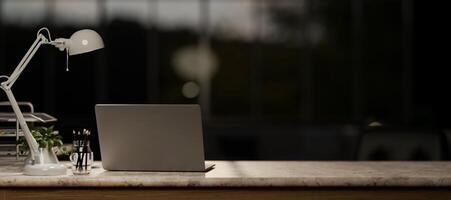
(279, 80)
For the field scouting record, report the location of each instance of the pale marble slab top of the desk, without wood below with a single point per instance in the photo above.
(250, 174)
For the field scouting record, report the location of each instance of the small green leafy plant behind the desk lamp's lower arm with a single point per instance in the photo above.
(45, 137)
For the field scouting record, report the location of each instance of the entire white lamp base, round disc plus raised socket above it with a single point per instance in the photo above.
(45, 164)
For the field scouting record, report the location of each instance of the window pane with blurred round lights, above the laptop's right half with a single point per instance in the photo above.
(178, 39)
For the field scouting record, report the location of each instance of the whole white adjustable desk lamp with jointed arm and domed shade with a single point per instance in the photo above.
(82, 41)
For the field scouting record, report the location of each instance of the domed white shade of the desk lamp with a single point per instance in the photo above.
(83, 41)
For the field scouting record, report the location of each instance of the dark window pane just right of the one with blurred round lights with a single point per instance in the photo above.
(233, 25)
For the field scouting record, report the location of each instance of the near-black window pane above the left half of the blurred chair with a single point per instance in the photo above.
(382, 57)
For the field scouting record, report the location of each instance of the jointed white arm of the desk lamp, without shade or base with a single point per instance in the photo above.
(6, 86)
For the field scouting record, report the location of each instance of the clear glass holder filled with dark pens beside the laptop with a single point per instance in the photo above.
(82, 157)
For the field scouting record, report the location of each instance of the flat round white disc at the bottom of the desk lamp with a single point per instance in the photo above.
(45, 170)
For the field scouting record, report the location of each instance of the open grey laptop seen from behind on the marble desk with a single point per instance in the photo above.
(151, 137)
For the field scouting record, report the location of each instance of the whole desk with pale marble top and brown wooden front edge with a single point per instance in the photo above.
(248, 177)
